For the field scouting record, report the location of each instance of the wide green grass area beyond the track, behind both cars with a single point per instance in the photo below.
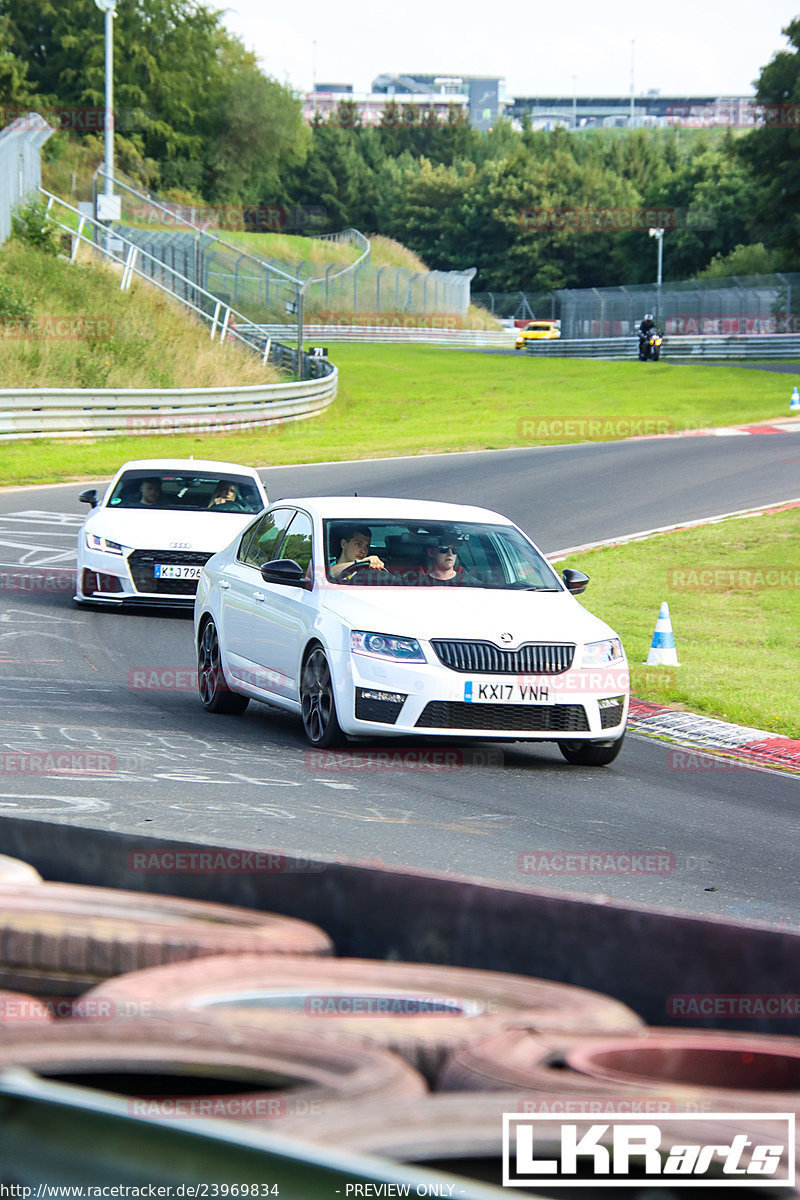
(420, 400)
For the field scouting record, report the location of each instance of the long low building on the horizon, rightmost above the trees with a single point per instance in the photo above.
(585, 112)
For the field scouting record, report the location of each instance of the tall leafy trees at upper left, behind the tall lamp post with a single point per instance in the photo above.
(193, 110)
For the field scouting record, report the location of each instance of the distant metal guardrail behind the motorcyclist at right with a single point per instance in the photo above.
(741, 346)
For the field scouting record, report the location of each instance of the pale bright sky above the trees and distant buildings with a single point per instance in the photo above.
(701, 47)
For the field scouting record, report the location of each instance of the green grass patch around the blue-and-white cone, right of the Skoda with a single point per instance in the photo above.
(735, 602)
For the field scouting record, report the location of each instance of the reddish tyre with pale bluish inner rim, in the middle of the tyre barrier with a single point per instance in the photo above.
(420, 1011)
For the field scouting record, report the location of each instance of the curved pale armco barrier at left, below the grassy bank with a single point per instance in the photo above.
(75, 413)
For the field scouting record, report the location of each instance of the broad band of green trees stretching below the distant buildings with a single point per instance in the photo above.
(199, 121)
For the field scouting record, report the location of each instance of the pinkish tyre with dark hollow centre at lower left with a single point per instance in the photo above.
(177, 1066)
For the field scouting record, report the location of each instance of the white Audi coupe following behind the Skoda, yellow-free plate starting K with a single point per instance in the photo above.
(148, 539)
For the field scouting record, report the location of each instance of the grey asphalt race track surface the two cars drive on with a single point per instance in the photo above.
(81, 682)
